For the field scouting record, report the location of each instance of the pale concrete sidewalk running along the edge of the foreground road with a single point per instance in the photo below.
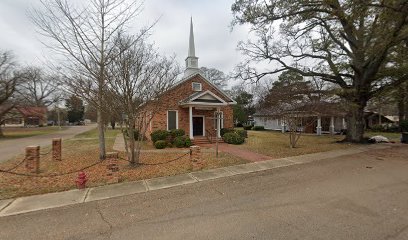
(52, 200)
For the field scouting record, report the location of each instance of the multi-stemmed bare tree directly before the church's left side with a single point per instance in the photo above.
(137, 78)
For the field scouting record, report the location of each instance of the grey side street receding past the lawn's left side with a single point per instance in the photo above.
(13, 147)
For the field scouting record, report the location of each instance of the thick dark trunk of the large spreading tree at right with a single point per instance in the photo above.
(355, 122)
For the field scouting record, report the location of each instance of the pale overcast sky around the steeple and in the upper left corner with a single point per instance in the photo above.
(214, 40)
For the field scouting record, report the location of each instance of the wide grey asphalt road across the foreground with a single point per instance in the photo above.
(363, 196)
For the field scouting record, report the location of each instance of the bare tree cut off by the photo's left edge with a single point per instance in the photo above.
(10, 79)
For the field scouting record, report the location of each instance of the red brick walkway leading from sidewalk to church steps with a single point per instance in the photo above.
(239, 152)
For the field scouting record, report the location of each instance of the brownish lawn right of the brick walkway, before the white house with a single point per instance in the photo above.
(276, 144)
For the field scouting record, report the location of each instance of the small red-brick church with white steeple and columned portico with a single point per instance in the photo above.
(191, 104)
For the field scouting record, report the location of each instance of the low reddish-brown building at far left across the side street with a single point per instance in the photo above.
(25, 116)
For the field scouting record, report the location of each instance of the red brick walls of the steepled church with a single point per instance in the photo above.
(170, 101)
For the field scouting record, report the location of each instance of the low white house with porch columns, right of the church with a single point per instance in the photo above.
(325, 118)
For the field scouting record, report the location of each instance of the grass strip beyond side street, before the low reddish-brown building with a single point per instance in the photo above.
(22, 132)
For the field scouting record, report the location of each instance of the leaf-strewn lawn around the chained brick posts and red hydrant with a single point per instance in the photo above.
(82, 151)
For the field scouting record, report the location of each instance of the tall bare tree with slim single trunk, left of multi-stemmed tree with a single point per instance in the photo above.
(85, 34)
